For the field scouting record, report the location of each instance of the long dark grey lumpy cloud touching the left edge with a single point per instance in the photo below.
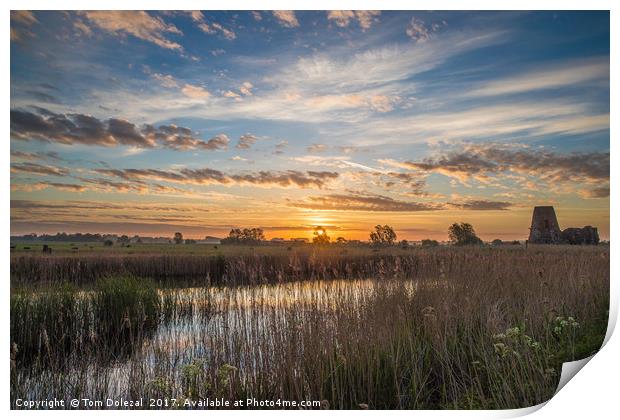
(47, 126)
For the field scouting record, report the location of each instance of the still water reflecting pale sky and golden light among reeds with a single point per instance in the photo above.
(253, 329)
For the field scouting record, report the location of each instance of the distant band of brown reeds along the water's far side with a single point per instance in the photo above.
(318, 263)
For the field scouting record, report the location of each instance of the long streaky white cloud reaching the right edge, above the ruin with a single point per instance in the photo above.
(512, 119)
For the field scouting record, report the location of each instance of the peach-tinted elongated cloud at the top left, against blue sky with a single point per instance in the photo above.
(139, 24)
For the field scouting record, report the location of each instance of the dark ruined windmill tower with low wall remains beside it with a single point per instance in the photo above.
(545, 229)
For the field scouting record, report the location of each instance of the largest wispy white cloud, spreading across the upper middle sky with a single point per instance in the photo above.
(327, 86)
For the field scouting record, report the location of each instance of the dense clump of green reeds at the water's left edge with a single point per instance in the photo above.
(50, 324)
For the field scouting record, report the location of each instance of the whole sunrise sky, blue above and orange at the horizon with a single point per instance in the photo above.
(150, 123)
